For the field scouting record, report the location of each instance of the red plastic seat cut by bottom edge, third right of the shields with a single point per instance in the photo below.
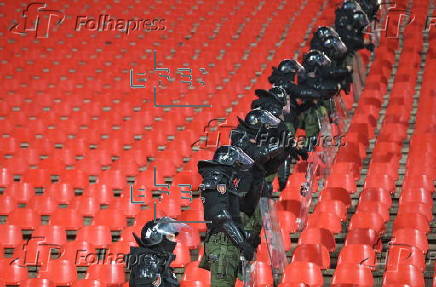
(404, 274)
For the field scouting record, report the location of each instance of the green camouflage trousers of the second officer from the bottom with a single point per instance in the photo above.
(222, 259)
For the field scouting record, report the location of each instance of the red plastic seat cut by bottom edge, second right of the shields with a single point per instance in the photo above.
(353, 274)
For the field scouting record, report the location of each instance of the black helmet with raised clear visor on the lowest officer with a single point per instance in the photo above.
(154, 231)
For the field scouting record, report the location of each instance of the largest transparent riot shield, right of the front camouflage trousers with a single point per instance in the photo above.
(273, 236)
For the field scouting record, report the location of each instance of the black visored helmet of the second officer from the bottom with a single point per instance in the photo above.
(232, 156)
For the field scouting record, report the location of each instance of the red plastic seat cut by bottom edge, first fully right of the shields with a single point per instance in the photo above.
(303, 272)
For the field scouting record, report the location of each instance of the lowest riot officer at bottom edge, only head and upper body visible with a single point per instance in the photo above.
(150, 261)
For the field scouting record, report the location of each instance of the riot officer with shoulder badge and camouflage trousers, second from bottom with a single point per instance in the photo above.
(226, 241)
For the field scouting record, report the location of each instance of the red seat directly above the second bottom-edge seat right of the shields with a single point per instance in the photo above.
(357, 254)
